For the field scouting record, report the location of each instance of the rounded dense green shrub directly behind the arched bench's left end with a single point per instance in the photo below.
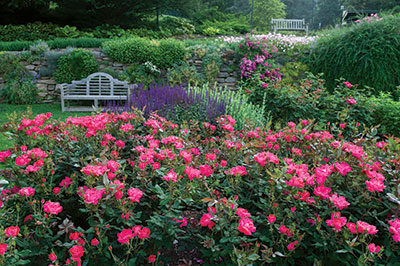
(75, 66)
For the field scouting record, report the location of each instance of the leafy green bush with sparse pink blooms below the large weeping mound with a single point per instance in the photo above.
(353, 107)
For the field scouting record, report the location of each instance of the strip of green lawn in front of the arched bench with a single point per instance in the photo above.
(55, 109)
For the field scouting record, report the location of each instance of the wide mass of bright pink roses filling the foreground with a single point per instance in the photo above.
(100, 192)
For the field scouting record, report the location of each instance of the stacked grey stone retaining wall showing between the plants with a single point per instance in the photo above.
(49, 90)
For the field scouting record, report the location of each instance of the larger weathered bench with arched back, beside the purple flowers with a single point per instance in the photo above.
(97, 86)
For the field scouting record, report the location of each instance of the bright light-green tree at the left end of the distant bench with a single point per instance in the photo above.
(265, 10)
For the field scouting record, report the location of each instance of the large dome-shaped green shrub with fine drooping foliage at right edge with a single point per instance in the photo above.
(367, 53)
